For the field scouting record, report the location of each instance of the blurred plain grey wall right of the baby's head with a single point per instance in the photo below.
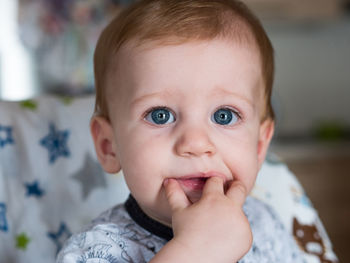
(312, 85)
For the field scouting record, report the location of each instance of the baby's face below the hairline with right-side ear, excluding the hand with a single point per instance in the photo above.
(187, 112)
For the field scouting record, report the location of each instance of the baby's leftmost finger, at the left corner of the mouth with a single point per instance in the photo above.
(176, 197)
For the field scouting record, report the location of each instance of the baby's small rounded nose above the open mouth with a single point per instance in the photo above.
(194, 142)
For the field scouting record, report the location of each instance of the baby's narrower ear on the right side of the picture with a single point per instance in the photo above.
(267, 128)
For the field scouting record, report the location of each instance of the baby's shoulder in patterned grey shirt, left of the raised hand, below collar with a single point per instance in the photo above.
(114, 237)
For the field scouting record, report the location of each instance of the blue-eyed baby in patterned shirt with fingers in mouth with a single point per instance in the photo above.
(183, 108)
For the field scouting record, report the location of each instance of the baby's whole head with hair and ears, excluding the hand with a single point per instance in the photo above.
(183, 91)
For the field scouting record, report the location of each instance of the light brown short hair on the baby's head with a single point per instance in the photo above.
(176, 22)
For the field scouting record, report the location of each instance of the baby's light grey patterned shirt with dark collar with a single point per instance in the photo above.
(126, 234)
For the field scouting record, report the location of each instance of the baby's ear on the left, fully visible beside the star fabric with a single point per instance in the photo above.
(105, 146)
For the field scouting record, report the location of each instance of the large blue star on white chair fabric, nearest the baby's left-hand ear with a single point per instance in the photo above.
(56, 143)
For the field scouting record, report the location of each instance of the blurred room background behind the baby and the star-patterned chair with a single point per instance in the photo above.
(46, 47)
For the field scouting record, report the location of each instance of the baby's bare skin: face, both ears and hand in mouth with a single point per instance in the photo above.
(194, 170)
